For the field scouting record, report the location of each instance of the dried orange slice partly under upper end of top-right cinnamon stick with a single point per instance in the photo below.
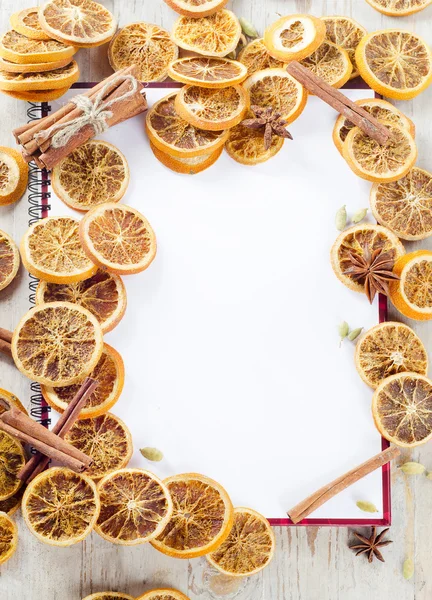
(331, 63)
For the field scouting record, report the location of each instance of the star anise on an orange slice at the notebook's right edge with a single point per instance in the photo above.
(374, 271)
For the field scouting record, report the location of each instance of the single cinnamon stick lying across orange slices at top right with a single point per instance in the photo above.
(354, 113)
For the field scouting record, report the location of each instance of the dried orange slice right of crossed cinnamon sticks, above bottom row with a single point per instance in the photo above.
(106, 439)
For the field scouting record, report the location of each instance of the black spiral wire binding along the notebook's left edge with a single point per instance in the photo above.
(37, 197)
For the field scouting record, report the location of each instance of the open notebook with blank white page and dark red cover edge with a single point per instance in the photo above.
(230, 342)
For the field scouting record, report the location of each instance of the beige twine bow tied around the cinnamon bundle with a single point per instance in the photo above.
(95, 113)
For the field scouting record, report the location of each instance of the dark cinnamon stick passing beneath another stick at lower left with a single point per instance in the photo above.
(39, 462)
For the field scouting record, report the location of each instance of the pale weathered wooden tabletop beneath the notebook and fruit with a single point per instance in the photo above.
(310, 564)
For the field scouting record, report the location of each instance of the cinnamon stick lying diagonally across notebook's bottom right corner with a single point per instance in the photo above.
(317, 499)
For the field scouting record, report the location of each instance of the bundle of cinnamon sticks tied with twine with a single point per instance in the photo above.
(117, 98)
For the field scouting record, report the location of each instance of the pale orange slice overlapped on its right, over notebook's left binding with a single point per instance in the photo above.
(51, 250)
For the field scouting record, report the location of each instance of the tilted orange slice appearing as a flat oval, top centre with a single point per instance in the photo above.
(207, 72)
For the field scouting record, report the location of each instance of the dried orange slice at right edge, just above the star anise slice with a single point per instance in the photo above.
(405, 205)
